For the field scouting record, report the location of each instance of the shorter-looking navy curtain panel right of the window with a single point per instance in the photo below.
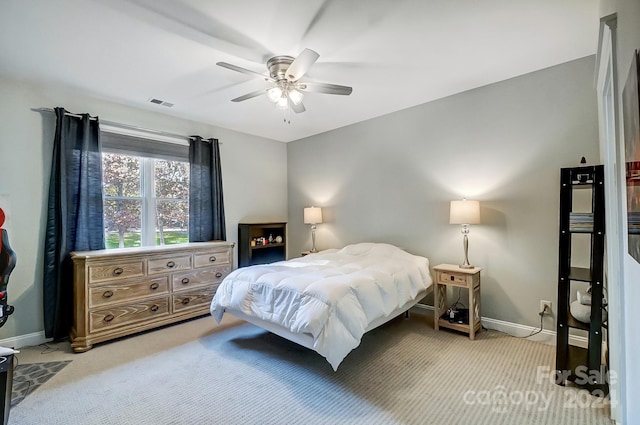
(206, 203)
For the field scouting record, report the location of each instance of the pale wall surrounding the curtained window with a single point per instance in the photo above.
(251, 190)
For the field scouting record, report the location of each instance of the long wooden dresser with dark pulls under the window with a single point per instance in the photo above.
(119, 292)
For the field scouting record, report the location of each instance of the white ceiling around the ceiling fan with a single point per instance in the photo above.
(394, 53)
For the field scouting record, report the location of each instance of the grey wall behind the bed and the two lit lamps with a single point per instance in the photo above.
(390, 179)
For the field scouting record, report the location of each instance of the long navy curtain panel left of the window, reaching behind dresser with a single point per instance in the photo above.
(74, 215)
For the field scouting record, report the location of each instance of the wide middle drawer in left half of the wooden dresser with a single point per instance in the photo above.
(127, 291)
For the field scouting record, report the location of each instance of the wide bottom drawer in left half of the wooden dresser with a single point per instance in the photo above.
(128, 314)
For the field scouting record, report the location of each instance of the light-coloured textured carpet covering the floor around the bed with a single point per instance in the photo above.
(402, 373)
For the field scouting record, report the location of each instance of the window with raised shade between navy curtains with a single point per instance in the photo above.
(146, 192)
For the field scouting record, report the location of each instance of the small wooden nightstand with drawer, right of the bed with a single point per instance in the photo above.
(452, 275)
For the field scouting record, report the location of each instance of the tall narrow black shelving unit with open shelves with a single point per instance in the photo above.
(581, 366)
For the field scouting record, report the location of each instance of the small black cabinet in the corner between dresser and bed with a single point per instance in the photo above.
(261, 243)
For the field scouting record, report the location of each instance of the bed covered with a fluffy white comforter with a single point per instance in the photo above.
(326, 301)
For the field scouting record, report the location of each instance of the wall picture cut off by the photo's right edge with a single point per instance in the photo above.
(631, 118)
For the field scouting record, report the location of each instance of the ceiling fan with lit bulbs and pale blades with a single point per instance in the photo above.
(286, 90)
